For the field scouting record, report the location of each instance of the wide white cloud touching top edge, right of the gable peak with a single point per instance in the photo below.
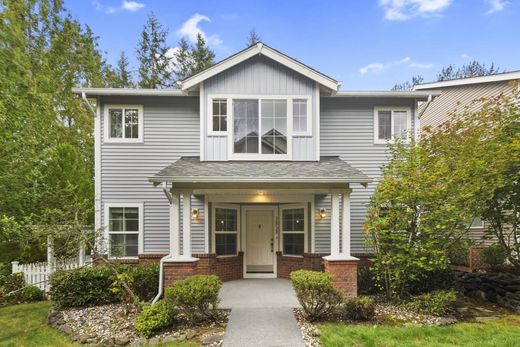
(400, 10)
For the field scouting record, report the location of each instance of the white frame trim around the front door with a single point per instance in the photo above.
(276, 238)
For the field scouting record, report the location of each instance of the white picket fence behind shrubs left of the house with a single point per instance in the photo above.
(38, 273)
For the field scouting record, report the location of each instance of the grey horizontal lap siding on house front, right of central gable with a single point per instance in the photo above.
(347, 130)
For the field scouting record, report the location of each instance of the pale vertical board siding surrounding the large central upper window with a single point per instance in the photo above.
(257, 76)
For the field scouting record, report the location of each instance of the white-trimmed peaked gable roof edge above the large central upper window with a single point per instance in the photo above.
(260, 49)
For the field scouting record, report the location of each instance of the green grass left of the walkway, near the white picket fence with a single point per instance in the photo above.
(24, 325)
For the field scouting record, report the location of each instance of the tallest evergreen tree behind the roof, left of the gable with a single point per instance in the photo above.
(154, 64)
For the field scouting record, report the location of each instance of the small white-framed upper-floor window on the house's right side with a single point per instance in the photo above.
(391, 123)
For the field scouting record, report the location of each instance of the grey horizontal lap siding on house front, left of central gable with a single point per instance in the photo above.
(171, 130)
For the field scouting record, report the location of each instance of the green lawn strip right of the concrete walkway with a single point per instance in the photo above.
(499, 333)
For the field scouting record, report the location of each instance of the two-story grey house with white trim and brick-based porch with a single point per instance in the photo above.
(255, 167)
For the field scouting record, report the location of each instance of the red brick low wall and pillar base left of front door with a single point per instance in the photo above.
(226, 268)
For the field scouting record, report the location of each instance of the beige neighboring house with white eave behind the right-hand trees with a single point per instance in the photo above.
(457, 96)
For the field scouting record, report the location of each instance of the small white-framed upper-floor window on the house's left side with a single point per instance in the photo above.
(123, 123)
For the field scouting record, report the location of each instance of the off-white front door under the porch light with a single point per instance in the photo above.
(259, 250)
